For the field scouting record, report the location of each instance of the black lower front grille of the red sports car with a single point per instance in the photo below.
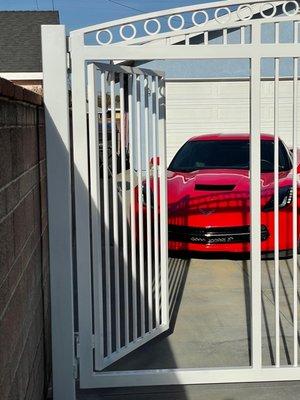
(225, 235)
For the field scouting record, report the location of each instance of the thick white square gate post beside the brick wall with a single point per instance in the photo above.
(56, 102)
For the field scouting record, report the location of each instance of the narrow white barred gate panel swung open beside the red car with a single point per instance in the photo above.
(130, 293)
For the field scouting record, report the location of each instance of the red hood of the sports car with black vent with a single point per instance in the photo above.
(219, 188)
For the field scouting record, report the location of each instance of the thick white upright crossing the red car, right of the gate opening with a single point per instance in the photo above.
(255, 172)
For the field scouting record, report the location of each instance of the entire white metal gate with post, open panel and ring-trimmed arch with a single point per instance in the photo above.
(102, 222)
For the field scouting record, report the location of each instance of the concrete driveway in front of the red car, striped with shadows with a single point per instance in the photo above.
(211, 327)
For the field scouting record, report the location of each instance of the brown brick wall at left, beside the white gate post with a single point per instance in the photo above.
(24, 266)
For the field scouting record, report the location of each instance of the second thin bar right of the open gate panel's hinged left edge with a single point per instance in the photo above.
(115, 209)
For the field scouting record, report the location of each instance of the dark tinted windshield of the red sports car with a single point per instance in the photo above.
(227, 154)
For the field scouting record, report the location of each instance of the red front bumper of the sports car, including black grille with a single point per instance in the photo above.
(209, 234)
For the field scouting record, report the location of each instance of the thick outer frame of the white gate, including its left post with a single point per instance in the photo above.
(63, 308)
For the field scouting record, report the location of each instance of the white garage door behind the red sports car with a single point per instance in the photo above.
(210, 106)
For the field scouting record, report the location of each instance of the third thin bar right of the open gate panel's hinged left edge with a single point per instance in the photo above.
(124, 208)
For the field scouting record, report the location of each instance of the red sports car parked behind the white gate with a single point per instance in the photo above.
(209, 195)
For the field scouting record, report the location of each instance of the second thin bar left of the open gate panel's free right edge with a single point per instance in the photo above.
(148, 206)
